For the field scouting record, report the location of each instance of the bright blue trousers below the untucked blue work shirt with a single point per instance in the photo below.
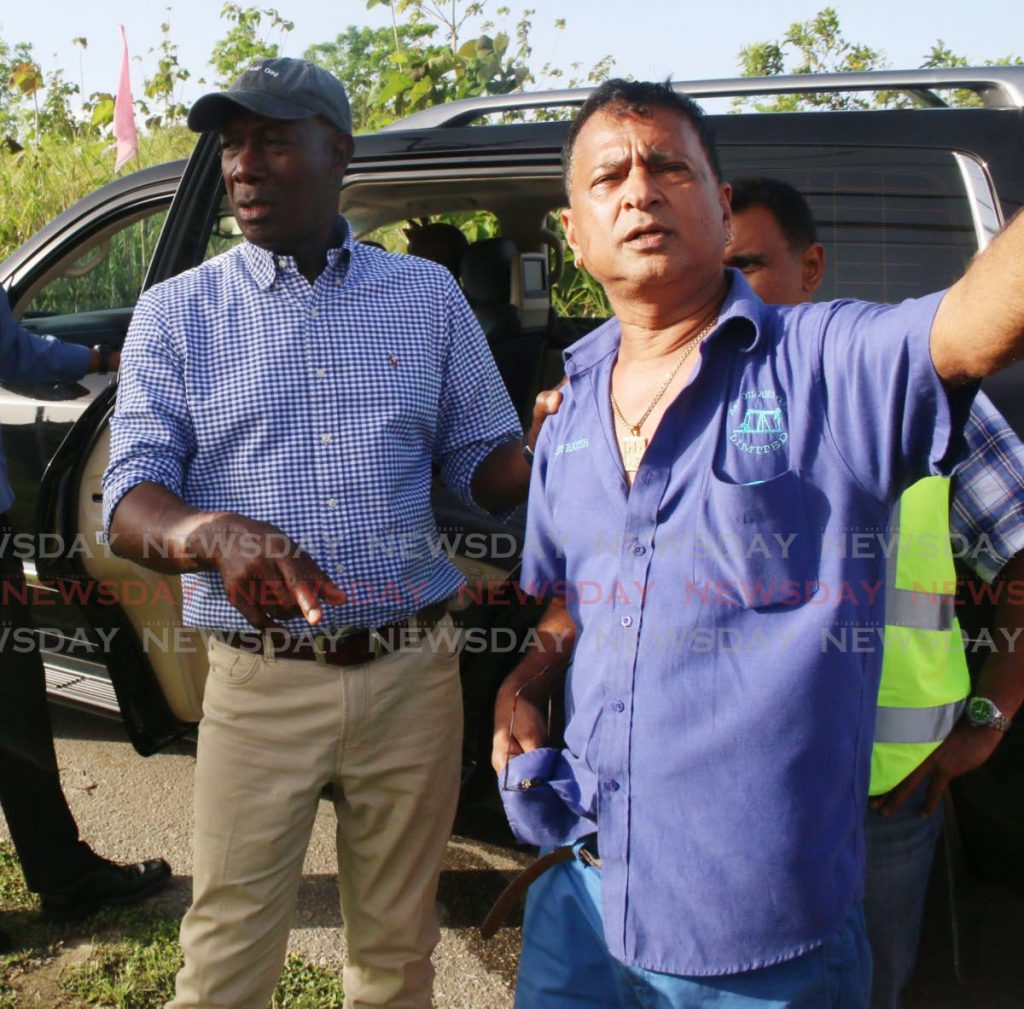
(566, 964)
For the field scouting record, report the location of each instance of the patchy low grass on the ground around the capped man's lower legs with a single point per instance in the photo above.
(130, 962)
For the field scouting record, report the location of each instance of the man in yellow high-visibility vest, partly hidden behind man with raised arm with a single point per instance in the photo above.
(926, 733)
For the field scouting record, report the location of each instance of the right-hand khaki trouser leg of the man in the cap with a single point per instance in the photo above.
(397, 791)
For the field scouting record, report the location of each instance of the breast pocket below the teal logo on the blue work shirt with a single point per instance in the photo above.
(760, 543)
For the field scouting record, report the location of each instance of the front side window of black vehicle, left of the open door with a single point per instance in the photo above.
(106, 272)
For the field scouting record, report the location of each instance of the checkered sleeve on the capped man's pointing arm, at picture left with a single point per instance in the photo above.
(152, 436)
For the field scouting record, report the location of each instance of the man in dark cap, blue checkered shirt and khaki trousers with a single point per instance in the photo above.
(280, 412)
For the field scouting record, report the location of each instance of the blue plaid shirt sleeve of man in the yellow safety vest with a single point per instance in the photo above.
(987, 512)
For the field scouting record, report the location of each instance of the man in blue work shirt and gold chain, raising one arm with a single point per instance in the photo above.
(722, 695)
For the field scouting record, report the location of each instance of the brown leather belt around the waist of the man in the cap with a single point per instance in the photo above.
(349, 648)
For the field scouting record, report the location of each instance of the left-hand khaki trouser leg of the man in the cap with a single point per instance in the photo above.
(266, 749)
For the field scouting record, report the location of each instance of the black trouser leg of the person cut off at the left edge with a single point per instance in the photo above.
(41, 826)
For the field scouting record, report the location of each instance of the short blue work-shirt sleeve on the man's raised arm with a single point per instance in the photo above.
(889, 414)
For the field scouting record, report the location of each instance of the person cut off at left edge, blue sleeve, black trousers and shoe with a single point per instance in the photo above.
(70, 877)
